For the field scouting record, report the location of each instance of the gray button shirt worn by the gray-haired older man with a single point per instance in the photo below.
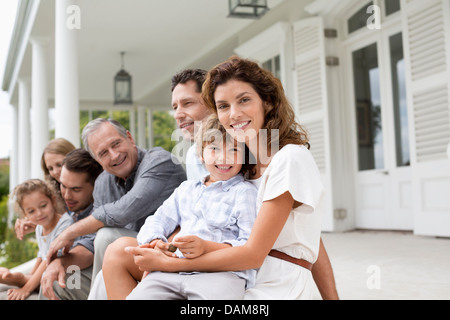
(126, 204)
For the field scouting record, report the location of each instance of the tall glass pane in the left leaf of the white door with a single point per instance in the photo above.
(366, 76)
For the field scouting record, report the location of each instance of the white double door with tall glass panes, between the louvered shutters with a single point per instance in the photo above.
(377, 98)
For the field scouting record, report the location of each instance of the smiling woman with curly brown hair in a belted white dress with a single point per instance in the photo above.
(285, 238)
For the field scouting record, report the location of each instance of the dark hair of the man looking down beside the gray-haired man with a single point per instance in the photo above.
(80, 161)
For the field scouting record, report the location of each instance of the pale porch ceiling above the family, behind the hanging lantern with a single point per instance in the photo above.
(159, 38)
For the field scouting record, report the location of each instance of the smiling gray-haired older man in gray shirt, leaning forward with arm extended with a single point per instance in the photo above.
(135, 182)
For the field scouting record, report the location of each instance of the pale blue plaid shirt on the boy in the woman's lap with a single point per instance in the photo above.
(223, 212)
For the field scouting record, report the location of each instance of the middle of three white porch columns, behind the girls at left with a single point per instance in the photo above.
(39, 105)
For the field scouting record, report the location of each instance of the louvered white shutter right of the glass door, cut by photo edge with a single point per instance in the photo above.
(426, 26)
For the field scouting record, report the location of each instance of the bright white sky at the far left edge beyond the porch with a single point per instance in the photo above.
(8, 10)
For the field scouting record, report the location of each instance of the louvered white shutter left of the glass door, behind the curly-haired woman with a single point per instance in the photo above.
(311, 101)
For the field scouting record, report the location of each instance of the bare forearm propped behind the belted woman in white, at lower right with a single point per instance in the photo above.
(323, 275)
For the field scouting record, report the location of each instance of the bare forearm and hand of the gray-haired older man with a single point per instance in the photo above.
(66, 238)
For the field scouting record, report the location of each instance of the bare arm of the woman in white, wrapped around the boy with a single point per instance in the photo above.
(268, 225)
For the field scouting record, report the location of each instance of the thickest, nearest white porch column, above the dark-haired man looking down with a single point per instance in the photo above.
(67, 107)
